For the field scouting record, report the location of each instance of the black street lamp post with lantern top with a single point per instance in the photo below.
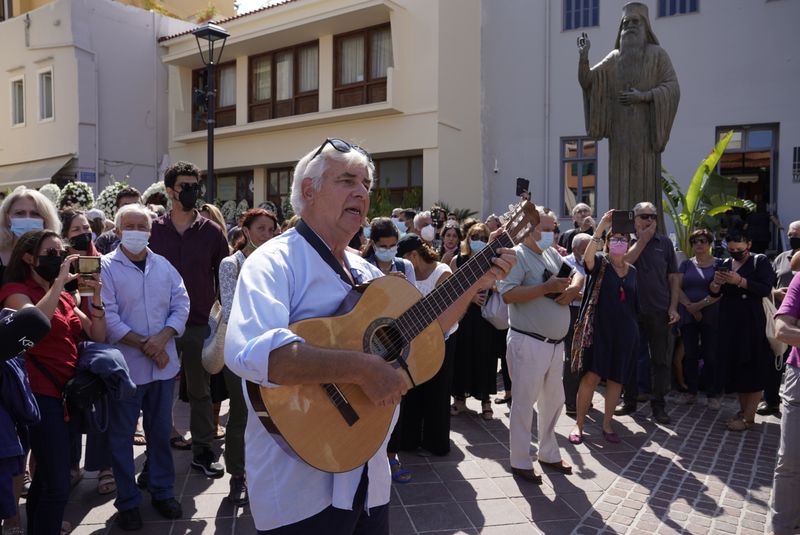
(211, 34)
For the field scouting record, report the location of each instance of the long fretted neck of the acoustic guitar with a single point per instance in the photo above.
(427, 310)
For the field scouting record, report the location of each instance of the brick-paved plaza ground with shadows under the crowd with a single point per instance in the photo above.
(691, 477)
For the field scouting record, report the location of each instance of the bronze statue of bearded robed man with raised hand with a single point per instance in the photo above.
(631, 97)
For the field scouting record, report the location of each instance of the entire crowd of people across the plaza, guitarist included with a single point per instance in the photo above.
(593, 305)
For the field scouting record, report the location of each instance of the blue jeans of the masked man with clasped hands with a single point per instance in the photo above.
(155, 401)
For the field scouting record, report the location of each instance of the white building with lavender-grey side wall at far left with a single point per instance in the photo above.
(84, 94)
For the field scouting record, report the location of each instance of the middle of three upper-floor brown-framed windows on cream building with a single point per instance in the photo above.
(284, 82)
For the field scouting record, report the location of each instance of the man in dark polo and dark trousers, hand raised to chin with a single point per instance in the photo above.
(659, 289)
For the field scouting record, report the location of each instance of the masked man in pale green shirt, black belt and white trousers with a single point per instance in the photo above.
(538, 295)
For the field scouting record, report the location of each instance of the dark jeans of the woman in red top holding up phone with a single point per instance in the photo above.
(50, 488)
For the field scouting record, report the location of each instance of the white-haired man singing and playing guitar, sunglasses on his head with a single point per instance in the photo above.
(287, 280)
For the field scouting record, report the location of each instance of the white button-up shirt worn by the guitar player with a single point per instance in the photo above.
(282, 282)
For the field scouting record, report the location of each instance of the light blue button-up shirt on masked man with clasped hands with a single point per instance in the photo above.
(143, 303)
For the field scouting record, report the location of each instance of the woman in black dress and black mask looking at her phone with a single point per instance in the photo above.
(742, 281)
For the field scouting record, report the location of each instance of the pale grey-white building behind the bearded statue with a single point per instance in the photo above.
(737, 64)
